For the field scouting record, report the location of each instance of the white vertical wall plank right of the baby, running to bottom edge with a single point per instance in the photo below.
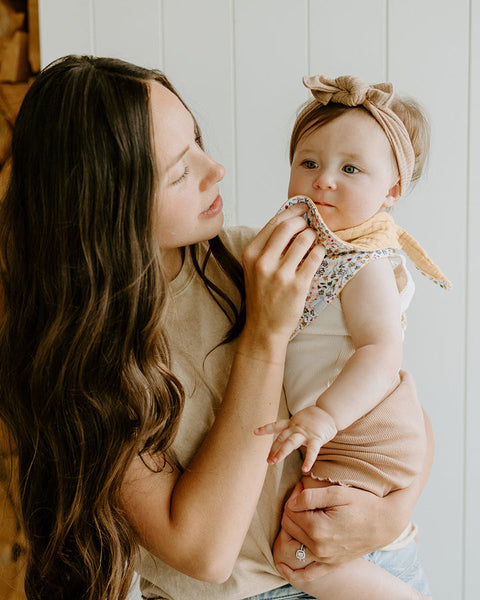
(432, 67)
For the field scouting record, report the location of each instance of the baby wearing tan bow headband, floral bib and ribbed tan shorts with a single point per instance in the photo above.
(354, 151)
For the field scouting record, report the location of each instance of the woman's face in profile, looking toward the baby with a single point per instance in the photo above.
(189, 206)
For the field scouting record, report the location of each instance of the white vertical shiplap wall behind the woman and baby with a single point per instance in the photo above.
(238, 64)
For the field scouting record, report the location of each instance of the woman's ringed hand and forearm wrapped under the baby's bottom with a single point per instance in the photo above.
(339, 524)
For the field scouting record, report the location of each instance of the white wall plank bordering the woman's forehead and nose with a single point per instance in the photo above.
(198, 48)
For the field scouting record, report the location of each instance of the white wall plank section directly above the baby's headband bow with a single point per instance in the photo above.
(348, 38)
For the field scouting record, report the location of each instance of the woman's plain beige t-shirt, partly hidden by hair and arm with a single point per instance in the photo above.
(195, 325)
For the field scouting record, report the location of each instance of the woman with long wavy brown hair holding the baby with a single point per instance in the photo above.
(123, 308)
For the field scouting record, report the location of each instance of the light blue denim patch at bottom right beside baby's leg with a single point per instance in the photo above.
(404, 564)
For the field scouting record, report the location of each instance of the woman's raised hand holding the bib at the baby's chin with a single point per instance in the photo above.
(279, 265)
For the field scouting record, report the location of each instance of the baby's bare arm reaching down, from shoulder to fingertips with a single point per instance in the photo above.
(371, 307)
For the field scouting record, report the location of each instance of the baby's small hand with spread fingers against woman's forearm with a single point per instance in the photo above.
(311, 427)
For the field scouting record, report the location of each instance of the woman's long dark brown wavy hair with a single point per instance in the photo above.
(85, 382)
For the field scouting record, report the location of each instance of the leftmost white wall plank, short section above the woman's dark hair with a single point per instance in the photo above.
(65, 28)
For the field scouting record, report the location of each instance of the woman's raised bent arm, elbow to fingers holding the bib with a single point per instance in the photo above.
(196, 521)
